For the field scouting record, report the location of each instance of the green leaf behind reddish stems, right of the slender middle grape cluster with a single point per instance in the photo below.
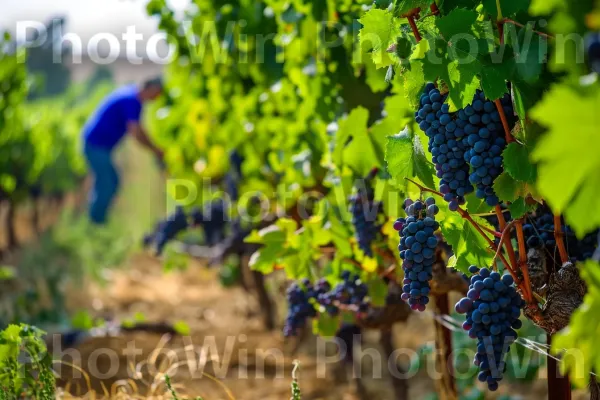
(469, 247)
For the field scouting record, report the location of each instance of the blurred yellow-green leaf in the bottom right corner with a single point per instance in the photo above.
(580, 337)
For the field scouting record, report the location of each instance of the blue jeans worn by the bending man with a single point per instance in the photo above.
(106, 182)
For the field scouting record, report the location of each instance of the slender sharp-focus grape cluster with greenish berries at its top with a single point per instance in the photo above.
(417, 250)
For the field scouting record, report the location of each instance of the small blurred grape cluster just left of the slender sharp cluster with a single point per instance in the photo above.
(364, 218)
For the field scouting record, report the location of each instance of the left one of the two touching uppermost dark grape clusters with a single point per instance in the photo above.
(446, 145)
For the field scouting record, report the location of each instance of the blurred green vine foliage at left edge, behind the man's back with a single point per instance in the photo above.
(39, 141)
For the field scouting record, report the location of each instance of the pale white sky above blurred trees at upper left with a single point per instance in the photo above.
(85, 18)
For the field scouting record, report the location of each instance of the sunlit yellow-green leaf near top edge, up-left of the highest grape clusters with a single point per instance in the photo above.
(379, 31)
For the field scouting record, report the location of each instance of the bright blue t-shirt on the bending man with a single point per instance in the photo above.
(108, 124)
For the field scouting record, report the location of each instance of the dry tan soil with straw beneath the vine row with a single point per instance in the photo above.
(227, 341)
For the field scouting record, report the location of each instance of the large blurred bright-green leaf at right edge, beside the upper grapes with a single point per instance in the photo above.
(567, 154)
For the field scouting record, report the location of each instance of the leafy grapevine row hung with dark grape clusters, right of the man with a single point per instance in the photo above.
(483, 130)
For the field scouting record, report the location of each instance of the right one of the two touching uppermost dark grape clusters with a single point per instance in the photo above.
(484, 134)
